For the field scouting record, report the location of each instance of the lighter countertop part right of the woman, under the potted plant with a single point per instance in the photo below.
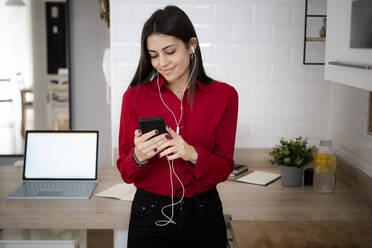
(278, 203)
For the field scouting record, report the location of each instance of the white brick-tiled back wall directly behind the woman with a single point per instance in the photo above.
(256, 46)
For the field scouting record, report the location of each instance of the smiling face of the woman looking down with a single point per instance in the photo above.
(170, 57)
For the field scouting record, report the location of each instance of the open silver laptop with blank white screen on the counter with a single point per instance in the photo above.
(59, 165)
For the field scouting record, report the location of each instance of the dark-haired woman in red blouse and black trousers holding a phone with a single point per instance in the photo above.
(176, 203)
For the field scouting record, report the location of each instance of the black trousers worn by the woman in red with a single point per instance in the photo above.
(199, 221)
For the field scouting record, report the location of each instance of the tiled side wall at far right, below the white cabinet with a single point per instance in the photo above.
(348, 126)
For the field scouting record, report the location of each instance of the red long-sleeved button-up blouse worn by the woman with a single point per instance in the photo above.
(210, 128)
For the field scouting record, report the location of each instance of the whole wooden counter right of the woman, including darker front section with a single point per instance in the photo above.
(277, 216)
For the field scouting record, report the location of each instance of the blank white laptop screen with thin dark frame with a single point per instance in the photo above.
(61, 155)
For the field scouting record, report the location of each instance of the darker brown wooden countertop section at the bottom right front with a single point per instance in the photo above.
(301, 234)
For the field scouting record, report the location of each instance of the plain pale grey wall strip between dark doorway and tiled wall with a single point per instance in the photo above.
(89, 38)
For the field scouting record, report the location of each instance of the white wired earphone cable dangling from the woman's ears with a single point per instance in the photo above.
(171, 167)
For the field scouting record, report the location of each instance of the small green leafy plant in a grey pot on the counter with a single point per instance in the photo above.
(292, 156)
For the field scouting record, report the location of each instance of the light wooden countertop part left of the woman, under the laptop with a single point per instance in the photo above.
(96, 213)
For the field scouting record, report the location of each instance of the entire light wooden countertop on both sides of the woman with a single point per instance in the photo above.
(243, 201)
